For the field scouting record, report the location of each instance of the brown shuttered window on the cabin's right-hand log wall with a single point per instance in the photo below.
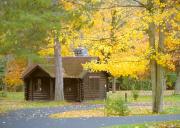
(94, 82)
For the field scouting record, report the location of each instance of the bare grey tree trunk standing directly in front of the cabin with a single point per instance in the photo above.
(59, 87)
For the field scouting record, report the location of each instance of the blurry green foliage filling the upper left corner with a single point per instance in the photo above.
(25, 24)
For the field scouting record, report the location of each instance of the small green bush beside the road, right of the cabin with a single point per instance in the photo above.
(115, 106)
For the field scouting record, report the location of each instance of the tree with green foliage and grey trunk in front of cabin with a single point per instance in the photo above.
(25, 26)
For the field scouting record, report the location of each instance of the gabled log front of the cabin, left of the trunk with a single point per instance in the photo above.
(47, 92)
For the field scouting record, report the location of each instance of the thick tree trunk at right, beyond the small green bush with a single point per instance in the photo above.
(157, 71)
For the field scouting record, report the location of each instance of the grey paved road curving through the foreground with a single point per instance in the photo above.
(38, 118)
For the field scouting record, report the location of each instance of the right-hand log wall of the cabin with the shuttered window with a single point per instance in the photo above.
(94, 93)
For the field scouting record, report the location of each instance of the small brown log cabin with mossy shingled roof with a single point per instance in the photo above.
(79, 84)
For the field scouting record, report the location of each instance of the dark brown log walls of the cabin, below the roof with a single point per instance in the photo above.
(74, 89)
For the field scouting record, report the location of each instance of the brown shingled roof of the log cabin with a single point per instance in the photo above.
(72, 67)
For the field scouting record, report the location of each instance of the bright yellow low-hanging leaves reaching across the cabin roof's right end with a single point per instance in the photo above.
(120, 66)
